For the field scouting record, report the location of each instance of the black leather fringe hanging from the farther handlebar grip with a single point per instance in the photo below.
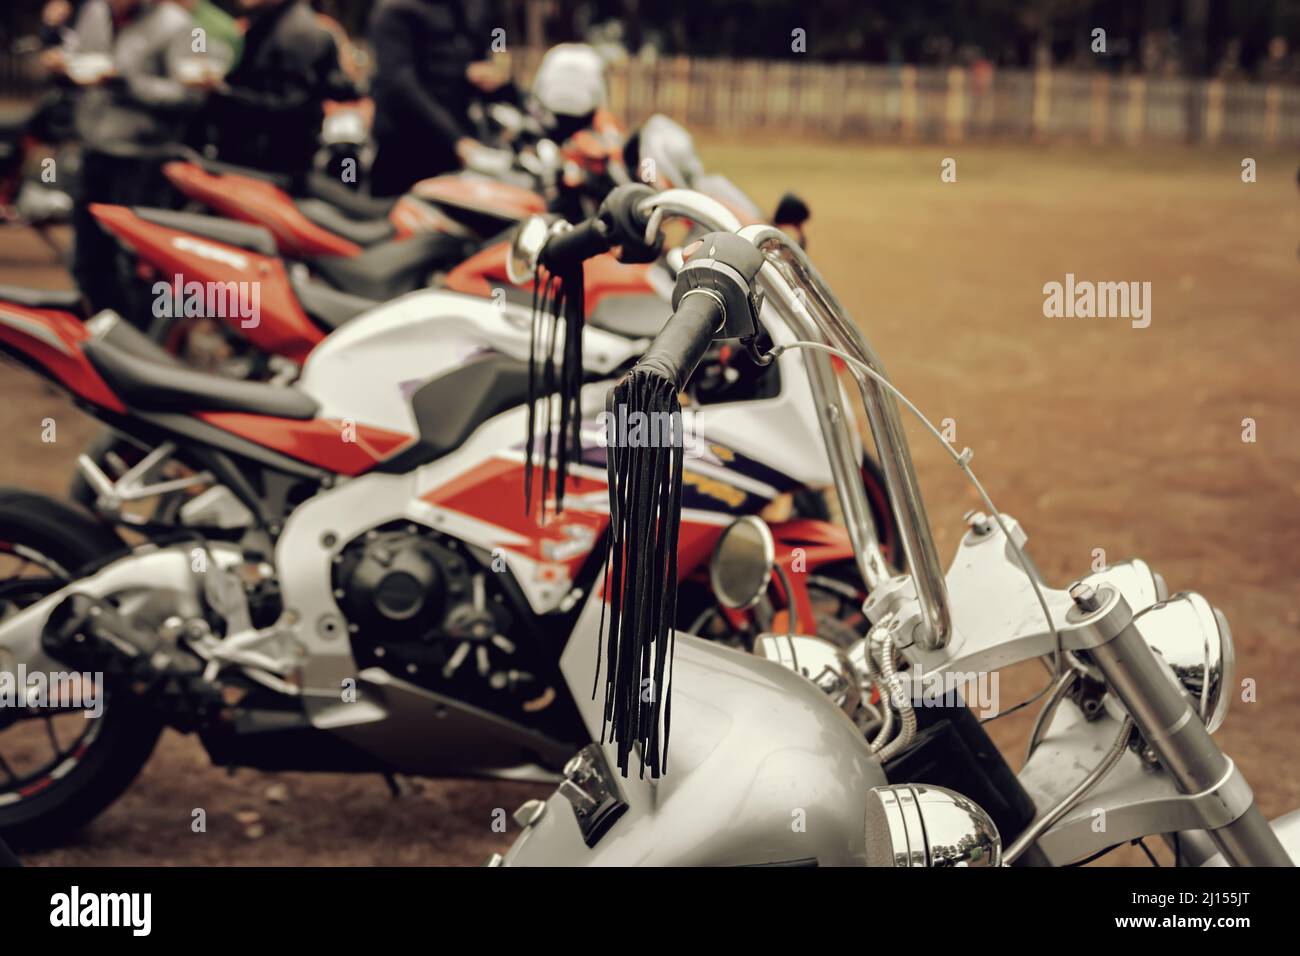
(556, 300)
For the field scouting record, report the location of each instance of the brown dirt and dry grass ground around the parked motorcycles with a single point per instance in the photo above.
(1095, 435)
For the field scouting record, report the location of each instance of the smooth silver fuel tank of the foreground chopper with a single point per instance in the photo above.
(762, 769)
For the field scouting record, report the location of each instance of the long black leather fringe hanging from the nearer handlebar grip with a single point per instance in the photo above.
(642, 572)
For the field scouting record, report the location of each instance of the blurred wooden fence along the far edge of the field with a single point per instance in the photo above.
(920, 103)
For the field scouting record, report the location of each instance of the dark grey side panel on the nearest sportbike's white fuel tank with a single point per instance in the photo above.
(449, 409)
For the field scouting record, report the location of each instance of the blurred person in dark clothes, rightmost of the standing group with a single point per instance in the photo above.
(431, 64)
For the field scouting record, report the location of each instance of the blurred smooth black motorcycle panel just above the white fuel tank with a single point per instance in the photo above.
(392, 269)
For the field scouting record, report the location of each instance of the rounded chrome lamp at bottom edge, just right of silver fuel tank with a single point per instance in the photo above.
(918, 825)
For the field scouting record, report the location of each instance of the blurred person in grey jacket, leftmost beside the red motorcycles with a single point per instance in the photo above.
(129, 122)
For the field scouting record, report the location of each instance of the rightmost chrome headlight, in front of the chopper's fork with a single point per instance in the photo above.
(1194, 639)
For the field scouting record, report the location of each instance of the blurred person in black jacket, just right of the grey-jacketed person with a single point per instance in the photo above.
(268, 114)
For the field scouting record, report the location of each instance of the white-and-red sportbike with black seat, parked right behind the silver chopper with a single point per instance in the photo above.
(349, 577)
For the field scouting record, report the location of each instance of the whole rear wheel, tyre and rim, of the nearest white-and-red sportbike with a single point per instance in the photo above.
(59, 769)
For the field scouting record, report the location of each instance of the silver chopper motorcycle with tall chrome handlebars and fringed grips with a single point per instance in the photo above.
(766, 765)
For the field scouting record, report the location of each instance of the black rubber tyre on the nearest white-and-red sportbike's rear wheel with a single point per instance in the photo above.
(66, 540)
